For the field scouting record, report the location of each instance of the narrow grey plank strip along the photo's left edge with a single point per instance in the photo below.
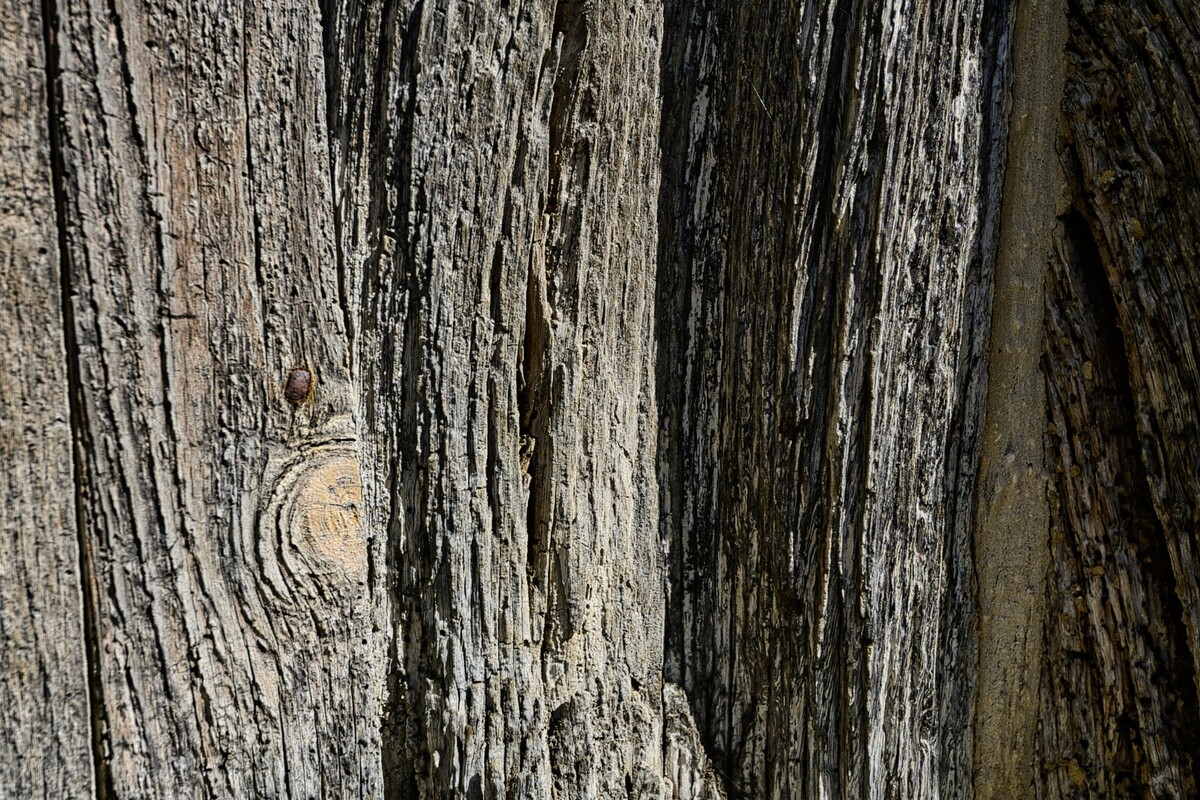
(45, 720)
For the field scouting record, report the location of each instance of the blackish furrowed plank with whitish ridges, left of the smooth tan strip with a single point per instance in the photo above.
(827, 221)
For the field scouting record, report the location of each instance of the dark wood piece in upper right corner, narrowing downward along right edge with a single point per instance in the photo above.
(1132, 151)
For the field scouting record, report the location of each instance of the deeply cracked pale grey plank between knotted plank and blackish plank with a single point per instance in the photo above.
(499, 175)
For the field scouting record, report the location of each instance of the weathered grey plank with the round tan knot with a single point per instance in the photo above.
(237, 649)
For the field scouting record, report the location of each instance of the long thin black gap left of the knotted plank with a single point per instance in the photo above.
(81, 444)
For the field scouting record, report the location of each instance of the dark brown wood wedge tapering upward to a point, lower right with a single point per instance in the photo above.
(1119, 715)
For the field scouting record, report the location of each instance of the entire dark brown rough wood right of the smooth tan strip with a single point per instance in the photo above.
(1120, 695)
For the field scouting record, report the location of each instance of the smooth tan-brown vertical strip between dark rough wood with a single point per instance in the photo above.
(1012, 534)
